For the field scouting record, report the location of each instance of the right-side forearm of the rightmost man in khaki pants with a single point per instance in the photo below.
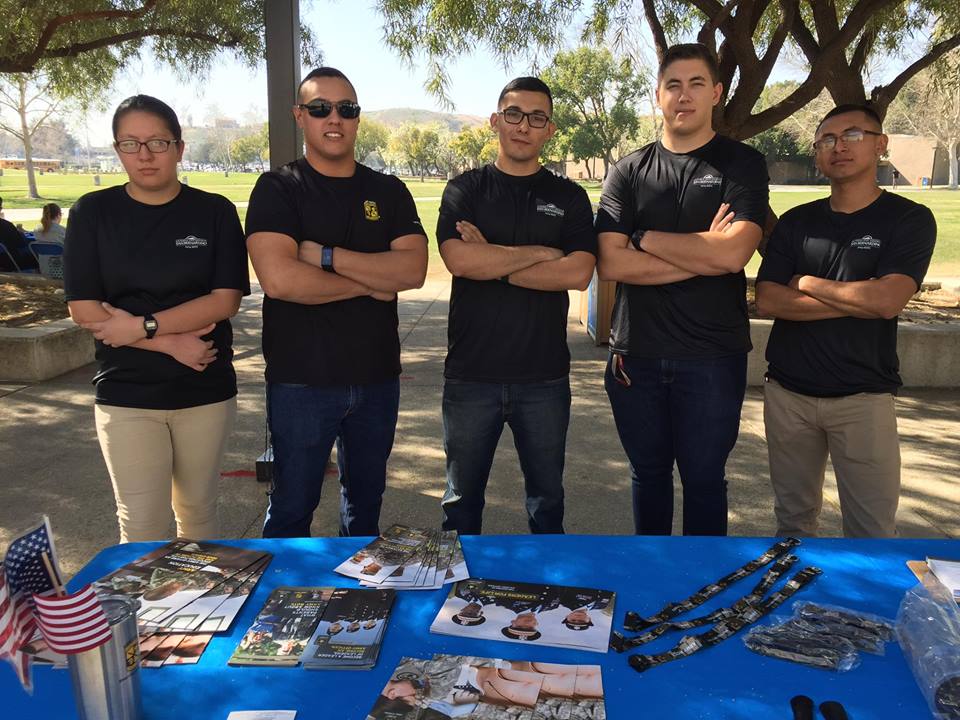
(883, 297)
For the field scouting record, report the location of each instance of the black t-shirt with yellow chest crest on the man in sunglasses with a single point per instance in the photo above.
(349, 342)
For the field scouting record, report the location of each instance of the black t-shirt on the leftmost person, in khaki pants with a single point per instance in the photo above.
(147, 258)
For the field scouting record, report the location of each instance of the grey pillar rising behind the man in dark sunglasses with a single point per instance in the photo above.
(282, 20)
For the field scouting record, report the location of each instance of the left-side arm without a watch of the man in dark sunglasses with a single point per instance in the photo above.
(284, 276)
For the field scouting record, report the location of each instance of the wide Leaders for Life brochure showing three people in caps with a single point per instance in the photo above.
(552, 615)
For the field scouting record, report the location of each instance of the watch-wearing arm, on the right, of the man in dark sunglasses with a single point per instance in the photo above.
(402, 267)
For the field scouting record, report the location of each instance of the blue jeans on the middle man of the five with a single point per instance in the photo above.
(473, 417)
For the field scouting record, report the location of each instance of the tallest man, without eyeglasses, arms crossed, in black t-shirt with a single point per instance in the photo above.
(677, 222)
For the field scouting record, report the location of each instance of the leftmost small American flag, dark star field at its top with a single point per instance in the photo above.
(22, 576)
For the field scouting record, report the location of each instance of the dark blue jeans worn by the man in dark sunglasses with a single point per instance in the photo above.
(305, 421)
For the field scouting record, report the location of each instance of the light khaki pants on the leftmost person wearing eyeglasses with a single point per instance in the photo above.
(165, 462)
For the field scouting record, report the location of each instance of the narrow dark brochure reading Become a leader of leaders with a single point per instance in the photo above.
(351, 631)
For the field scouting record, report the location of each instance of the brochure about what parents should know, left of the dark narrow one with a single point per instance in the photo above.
(281, 630)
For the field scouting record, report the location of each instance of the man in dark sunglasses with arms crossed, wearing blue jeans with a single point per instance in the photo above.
(332, 242)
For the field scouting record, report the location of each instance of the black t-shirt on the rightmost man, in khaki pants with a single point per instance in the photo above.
(844, 356)
